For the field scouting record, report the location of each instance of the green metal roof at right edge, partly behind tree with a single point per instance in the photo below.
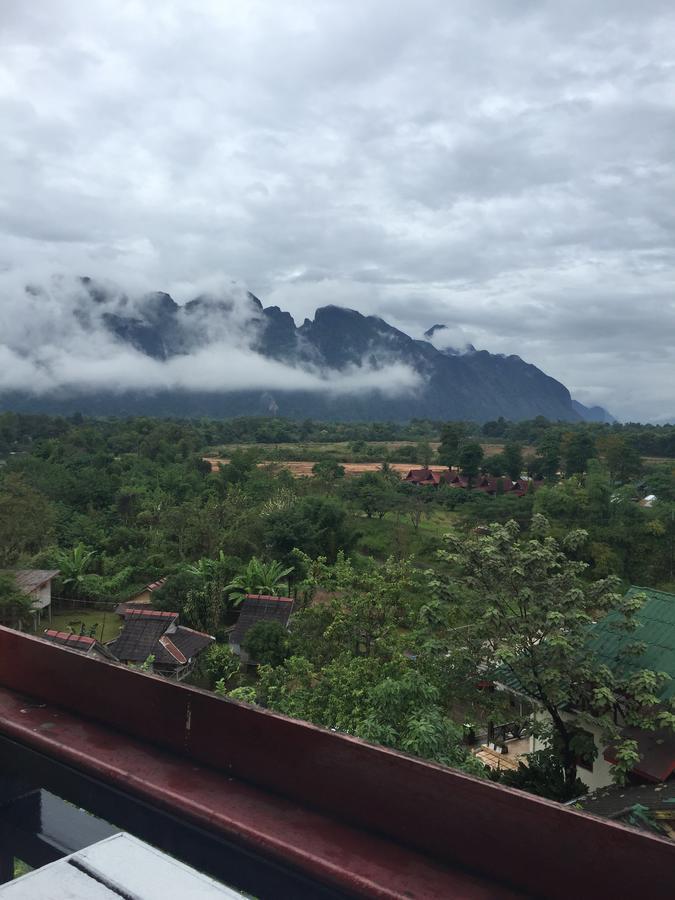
(656, 629)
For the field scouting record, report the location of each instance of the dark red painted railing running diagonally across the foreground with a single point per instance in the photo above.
(373, 821)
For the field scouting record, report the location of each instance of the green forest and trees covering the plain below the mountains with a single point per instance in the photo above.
(409, 599)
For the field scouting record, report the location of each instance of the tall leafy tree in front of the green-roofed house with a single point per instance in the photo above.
(532, 612)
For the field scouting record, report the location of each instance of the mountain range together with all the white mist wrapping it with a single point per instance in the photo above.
(88, 346)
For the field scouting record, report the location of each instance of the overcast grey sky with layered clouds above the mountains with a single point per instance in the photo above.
(505, 167)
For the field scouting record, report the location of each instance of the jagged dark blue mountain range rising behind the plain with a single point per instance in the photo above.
(361, 368)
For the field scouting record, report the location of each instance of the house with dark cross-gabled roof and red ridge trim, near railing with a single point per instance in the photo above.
(152, 634)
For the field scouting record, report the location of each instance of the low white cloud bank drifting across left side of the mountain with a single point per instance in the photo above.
(54, 339)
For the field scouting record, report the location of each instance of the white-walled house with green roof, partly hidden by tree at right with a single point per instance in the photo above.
(656, 630)
